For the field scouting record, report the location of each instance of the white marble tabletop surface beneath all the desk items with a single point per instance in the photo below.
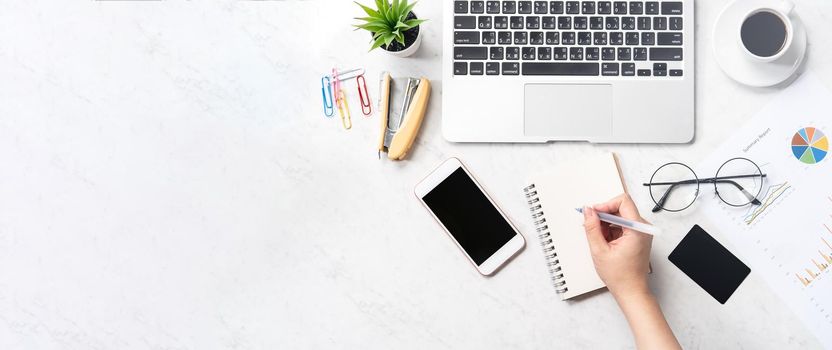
(169, 182)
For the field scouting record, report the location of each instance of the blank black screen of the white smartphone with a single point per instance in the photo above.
(469, 216)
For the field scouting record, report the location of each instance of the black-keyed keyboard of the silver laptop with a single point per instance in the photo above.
(568, 38)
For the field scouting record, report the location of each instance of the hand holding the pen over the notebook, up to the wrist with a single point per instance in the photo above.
(621, 256)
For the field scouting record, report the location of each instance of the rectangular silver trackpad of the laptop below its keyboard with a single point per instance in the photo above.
(568, 111)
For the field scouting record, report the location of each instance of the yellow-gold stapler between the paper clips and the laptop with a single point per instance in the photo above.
(402, 106)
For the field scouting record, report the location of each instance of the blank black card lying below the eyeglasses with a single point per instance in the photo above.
(709, 264)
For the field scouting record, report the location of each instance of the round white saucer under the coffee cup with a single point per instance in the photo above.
(735, 62)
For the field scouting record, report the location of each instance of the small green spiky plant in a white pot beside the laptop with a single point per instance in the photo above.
(394, 27)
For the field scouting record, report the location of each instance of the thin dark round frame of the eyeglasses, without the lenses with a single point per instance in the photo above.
(752, 199)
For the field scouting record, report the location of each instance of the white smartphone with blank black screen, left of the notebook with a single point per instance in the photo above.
(469, 216)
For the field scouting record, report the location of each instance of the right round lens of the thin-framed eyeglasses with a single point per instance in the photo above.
(738, 182)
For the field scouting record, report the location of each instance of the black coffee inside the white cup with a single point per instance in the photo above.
(763, 34)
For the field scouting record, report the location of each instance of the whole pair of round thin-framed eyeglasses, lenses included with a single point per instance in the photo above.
(674, 186)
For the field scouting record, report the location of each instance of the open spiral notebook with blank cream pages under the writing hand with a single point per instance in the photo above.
(553, 197)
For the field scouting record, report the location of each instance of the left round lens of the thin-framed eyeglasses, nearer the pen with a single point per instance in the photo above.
(674, 187)
